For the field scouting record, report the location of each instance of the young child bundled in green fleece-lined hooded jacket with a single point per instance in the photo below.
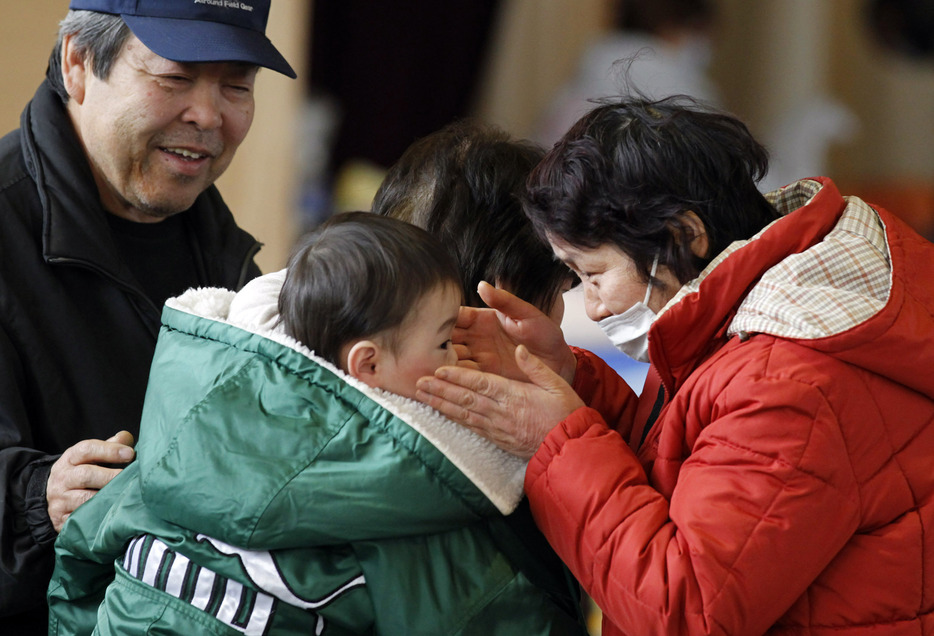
(286, 484)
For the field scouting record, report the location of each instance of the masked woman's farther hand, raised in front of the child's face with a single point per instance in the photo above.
(486, 339)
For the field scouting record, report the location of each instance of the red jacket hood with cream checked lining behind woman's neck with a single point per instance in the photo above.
(834, 274)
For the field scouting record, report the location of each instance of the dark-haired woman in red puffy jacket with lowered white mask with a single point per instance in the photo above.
(774, 475)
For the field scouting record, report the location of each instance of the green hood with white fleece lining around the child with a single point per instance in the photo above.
(324, 457)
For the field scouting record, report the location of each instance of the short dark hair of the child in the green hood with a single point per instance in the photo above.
(356, 275)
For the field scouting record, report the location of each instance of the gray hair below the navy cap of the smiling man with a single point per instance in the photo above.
(98, 37)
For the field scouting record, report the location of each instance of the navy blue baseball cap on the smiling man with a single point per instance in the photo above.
(198, 30)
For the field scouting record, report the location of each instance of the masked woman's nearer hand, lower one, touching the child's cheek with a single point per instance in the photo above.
(514, 415)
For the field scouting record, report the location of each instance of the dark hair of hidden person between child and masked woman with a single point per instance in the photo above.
(463, 184)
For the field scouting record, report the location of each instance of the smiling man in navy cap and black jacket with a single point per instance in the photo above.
(108, 209)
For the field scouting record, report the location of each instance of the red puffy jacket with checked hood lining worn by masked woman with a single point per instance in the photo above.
(787, 486)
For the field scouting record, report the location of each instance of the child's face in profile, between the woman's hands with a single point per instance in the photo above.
(423, 342)
